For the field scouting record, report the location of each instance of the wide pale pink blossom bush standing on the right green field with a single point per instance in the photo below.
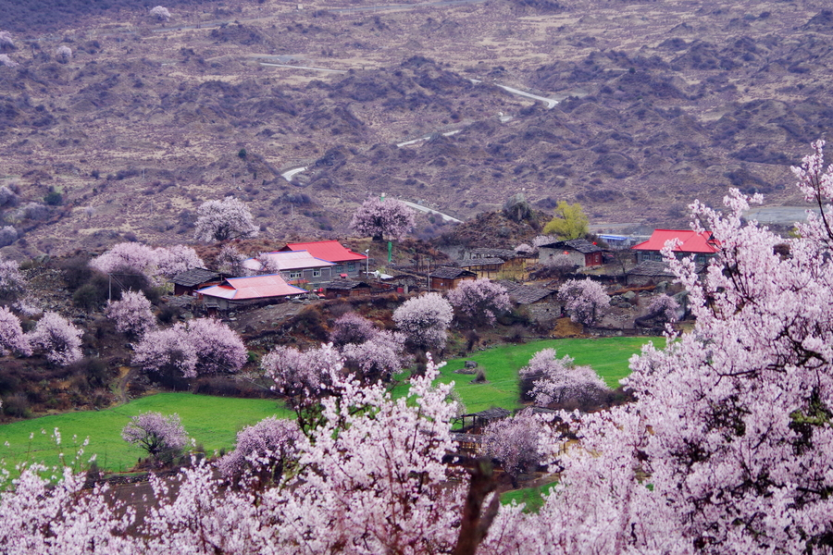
(549, 380)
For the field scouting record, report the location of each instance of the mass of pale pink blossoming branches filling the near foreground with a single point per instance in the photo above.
(726, 450)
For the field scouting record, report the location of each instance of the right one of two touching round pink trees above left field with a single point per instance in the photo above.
(218, 347)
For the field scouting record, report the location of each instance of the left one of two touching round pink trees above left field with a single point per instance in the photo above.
(169, 353)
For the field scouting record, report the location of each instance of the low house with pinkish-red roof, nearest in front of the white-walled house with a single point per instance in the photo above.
(237, 292)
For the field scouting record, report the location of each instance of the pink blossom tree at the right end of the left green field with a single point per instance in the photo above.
(264, 449)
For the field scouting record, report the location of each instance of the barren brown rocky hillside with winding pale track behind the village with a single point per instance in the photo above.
(659, 103)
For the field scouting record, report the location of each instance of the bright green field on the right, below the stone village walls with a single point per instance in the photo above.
(607, 356)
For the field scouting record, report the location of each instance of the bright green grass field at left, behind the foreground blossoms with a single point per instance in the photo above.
(212, 421)
